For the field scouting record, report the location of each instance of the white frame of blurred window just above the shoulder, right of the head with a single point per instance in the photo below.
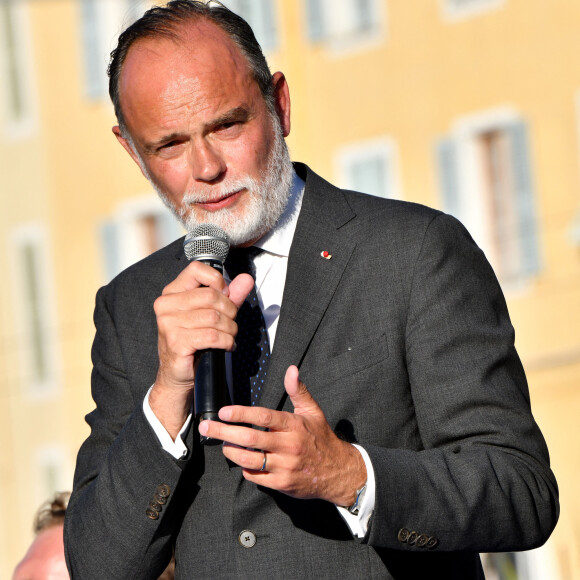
(384, 147)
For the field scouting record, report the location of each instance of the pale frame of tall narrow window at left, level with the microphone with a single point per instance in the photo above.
(35, 234)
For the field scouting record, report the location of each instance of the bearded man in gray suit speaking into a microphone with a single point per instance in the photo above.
(392, 436)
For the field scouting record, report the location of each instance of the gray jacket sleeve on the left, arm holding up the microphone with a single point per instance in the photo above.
(111, 530)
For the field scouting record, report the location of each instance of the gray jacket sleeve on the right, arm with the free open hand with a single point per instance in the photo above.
(482, 480)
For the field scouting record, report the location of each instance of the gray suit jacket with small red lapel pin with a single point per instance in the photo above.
(403, 338)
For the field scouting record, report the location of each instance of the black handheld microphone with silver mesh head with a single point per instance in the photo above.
(209, 244)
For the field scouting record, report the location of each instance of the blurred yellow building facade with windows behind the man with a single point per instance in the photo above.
(472, 106)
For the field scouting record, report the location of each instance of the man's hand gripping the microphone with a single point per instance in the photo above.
(195, 312)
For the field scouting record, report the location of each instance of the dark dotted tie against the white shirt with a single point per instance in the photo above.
(252, 355)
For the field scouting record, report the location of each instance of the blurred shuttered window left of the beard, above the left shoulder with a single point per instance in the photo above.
(138, 228)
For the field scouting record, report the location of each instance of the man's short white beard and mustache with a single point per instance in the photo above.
(267, 198)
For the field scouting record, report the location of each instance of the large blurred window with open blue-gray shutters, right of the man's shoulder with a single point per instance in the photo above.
(486, 182)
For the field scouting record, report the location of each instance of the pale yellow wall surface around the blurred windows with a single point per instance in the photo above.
(421, 75)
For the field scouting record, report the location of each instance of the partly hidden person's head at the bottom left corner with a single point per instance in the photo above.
(45, 557)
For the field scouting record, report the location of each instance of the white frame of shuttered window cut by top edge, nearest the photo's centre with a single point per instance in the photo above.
(338, 35)
